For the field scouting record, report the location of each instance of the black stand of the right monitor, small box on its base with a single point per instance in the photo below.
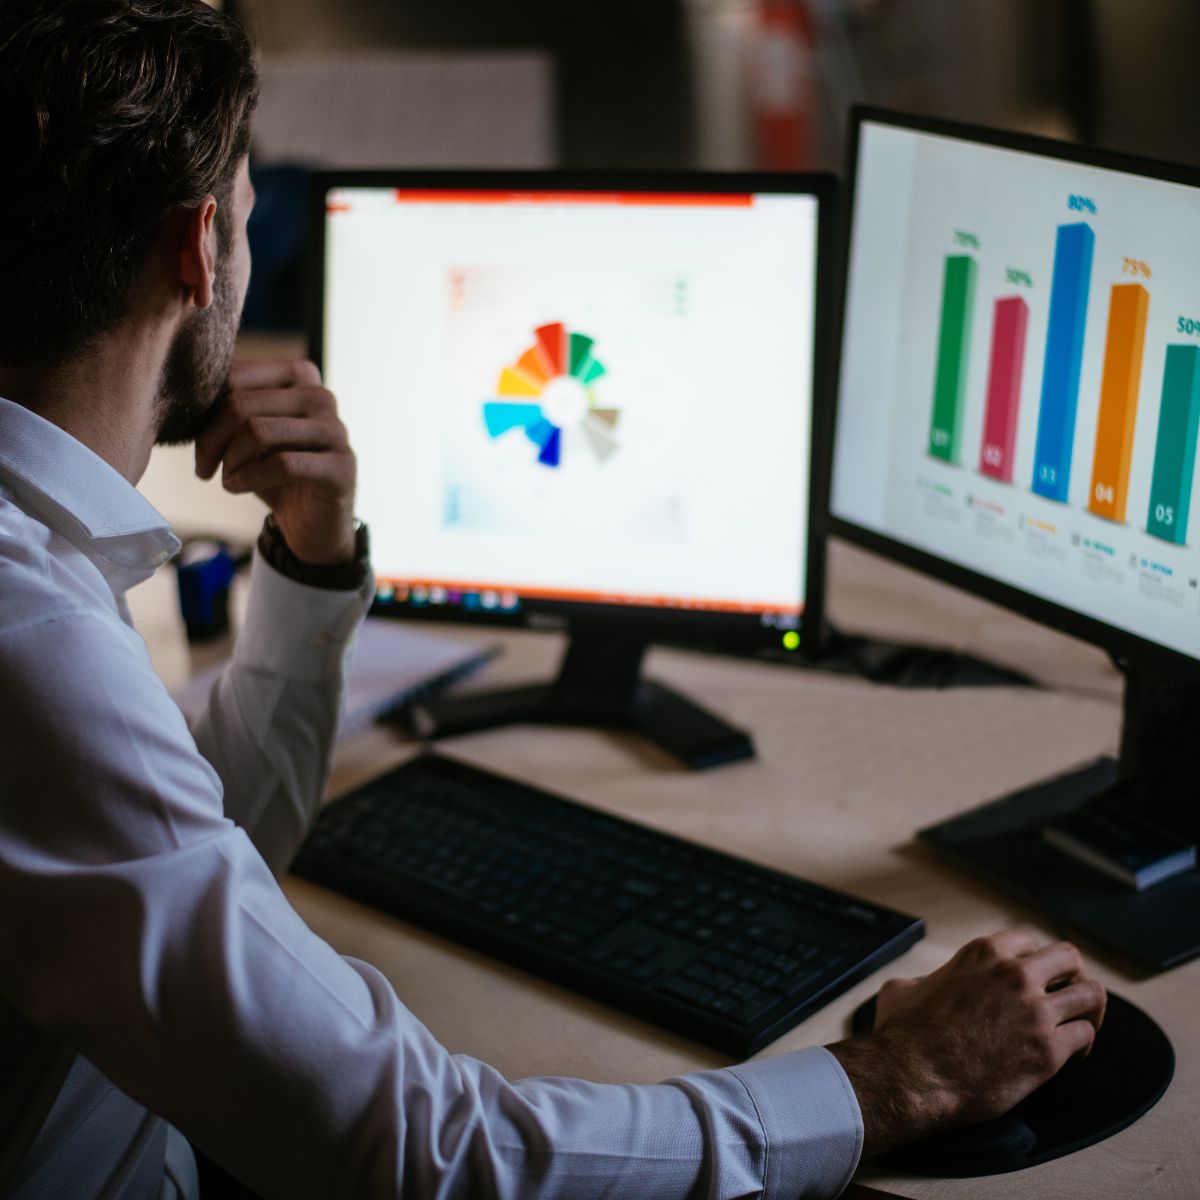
(1156, 776)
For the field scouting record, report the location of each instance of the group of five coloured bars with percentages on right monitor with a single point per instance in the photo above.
(1077, 289)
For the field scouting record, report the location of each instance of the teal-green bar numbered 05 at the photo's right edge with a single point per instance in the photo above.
(1175, 452)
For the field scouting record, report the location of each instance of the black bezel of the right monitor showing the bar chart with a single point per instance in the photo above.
(1123, 646)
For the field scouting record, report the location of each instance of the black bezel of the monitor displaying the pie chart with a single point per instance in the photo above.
(733, 631)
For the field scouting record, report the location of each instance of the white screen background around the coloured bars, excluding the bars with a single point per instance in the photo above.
(915, 193)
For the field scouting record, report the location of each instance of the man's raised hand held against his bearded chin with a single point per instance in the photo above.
(278, 435)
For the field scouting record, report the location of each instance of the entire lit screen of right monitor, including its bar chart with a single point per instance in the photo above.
(1019, 387)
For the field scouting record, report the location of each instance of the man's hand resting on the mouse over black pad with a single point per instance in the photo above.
(971, 1040)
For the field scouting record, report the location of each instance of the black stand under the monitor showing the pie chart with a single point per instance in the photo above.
(599, 683)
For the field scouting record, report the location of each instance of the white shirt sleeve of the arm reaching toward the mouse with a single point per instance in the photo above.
(155, 941)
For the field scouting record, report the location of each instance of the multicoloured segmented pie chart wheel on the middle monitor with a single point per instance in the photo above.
(550, 394)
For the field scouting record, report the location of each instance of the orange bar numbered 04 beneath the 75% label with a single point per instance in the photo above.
(1119, 401)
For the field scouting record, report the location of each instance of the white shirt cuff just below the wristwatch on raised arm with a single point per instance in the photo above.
(296, 631)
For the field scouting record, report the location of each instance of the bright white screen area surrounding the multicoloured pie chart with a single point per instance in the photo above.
(703, 316)
